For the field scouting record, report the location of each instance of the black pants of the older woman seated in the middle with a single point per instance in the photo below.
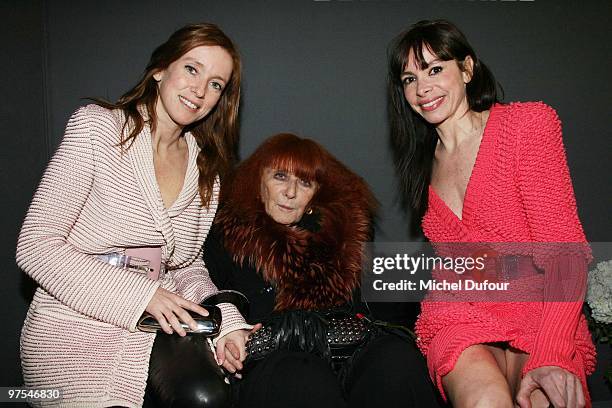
(389, 372)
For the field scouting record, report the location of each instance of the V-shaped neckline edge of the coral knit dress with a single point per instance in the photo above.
(481, 156)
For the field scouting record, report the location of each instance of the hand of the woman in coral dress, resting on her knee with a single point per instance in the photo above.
(562, 388)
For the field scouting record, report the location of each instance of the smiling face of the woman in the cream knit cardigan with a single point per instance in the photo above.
(191, 86)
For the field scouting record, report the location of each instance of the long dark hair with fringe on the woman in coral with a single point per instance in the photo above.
(413, 139)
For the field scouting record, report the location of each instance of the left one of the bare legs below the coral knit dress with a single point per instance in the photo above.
(478, 379)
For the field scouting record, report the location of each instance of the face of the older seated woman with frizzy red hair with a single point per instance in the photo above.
(285, 196)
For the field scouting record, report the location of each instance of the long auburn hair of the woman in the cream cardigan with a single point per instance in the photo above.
(217, 133)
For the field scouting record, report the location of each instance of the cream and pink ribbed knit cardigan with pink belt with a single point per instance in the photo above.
(80, 331)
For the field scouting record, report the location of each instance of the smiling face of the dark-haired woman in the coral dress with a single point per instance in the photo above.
(437, 92)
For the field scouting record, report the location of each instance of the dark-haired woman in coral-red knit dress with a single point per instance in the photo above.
(481, 171)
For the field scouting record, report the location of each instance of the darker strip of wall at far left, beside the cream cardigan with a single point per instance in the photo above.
(24, 155)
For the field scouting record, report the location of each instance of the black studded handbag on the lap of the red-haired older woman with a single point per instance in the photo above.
(331, 334)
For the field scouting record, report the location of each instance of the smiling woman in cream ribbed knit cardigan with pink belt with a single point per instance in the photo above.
(139, 176)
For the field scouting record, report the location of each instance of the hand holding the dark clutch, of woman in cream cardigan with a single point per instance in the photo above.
(170, 310)
